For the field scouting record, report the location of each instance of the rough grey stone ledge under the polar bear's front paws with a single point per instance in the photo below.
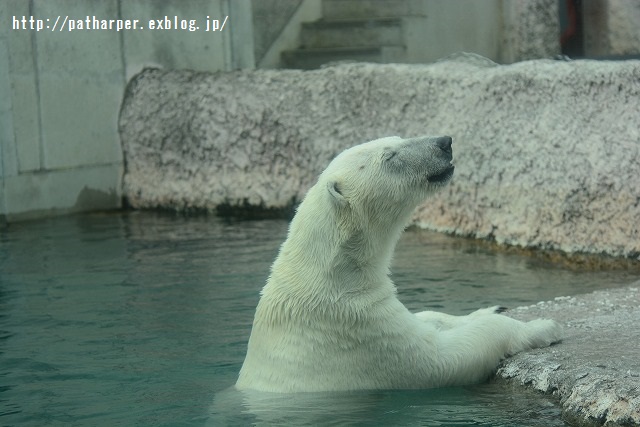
(595, 370)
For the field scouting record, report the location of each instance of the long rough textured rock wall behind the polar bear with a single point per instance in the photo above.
(547, 152)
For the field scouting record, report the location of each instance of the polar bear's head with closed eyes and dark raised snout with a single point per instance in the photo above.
(383, 181)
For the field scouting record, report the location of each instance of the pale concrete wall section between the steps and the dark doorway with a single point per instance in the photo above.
(505, 31)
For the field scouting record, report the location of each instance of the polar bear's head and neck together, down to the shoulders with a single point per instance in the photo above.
(363, 200)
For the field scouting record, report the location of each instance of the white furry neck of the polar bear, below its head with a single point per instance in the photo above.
(328, 256)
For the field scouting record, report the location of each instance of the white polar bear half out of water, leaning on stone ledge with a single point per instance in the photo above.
(328, 318)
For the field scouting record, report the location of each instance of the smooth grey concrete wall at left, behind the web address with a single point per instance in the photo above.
(60, 91)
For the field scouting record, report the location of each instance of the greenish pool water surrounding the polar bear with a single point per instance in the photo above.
(143, 318)
